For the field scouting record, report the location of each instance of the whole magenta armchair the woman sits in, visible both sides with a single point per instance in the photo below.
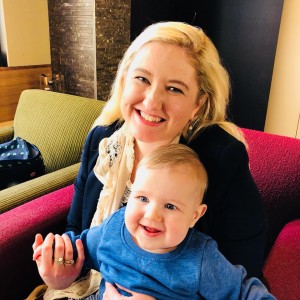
(275, 165)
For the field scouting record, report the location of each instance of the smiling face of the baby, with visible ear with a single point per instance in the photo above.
(163, 205)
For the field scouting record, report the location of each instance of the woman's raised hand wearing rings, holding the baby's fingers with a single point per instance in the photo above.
(57, 267)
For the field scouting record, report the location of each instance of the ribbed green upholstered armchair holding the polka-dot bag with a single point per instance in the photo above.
(58, 125)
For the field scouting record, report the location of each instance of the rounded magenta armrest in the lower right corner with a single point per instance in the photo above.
(282, 266)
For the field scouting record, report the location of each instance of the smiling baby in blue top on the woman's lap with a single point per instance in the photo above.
(149, 246)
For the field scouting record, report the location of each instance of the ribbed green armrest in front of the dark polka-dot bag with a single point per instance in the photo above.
(29, 190)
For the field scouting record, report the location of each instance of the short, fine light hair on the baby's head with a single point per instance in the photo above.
(175, 156)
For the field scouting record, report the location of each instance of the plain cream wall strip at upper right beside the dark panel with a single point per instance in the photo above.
(283, 113)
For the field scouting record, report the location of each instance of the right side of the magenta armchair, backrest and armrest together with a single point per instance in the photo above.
(275, 165)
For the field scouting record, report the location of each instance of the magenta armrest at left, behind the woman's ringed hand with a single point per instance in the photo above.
(18, 229)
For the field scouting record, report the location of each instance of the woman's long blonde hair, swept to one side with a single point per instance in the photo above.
(212, 77)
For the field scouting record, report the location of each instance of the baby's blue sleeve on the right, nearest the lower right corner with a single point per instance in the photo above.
(221, 280)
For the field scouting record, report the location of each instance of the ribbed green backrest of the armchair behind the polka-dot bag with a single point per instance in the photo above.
(56, 123)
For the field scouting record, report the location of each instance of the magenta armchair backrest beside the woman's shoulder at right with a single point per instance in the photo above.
(275, 166)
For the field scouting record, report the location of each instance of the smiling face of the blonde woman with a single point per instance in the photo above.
(160, 93)
